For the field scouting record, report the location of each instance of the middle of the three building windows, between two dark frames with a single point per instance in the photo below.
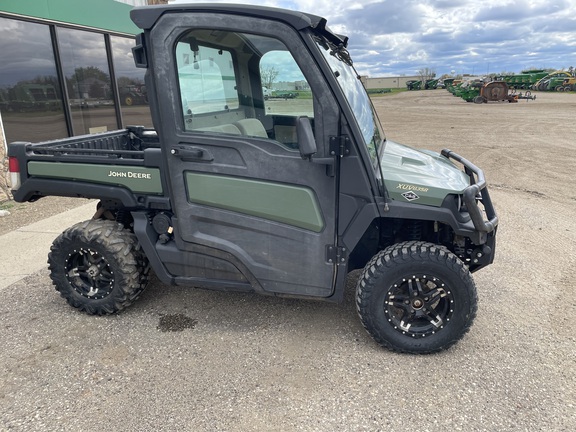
(87, 75)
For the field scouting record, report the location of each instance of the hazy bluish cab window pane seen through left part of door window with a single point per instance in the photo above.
(206, 78)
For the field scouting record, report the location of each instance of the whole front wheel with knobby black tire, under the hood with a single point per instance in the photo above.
(438, 313)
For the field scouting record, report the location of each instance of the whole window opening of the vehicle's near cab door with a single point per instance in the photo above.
(240, 83)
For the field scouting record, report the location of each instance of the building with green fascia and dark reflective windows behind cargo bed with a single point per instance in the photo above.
(66, 69)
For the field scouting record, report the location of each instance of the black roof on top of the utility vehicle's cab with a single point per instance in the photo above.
(145, 16)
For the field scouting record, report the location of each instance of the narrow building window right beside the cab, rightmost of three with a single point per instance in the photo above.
(130, 83)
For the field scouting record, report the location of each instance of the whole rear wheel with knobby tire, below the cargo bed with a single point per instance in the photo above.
(98, 267)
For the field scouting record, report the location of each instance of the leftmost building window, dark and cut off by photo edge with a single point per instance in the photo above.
(30, 96)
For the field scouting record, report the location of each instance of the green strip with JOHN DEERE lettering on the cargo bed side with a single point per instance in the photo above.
(137, 179)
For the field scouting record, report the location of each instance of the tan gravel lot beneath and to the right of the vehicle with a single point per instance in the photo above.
(183, 359)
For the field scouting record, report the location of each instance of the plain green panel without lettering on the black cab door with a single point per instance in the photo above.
(289, 204)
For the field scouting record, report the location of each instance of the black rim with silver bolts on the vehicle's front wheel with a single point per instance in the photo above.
(419, 306)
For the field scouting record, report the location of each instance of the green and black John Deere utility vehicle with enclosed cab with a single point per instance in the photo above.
(235, 192)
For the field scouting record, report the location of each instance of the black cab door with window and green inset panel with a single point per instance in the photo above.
(247, 206)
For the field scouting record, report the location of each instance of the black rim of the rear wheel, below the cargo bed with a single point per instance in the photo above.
(89, 273)
